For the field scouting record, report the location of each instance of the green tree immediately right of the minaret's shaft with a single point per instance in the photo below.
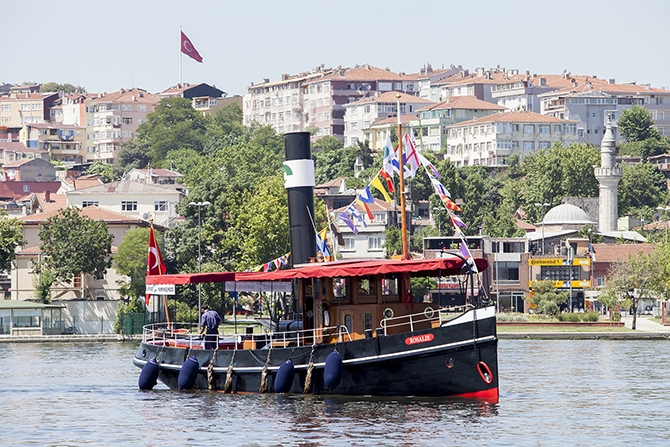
(642, 185)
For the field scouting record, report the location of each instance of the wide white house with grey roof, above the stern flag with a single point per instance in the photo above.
(131, 198)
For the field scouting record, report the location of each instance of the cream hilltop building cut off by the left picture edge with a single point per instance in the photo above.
(19, 109)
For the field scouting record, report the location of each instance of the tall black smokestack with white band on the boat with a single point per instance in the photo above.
(299, 184)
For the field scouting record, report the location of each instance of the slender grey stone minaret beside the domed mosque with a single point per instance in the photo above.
(608, 176)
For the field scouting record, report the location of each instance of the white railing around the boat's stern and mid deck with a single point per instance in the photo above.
(186, 335)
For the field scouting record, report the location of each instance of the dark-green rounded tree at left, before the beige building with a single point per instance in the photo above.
(74, 244)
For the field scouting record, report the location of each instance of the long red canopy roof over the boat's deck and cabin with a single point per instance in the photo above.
(424, 267)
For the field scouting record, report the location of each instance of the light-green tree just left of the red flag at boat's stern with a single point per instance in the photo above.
(131, 260)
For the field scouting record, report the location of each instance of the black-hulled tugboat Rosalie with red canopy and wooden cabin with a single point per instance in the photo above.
(354, 329)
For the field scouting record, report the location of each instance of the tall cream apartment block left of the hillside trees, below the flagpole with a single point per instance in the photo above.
(115, 119)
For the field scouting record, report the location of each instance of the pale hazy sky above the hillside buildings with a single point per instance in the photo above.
(108, 45)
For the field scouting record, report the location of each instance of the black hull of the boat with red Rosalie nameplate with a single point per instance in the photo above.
(456, 359)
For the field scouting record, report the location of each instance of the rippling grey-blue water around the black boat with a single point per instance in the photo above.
(572, 393)
